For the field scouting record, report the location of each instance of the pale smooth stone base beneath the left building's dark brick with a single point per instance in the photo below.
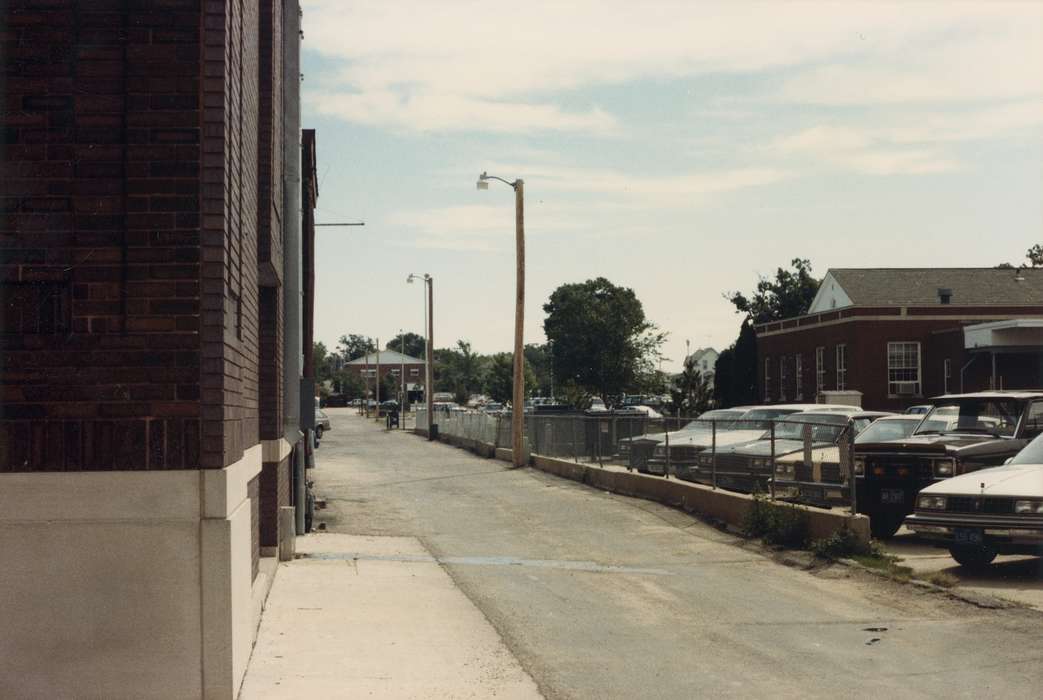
(127, 585)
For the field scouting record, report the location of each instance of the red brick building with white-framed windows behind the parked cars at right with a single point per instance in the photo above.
(902, 335)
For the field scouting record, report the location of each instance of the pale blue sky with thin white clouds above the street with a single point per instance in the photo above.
(682, 150)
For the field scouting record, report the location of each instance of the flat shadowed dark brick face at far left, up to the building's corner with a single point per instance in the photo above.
(100, 228)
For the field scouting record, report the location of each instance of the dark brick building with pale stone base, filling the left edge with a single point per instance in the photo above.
(153, 419)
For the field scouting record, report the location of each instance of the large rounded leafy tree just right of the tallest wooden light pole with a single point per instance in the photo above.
(602, 341)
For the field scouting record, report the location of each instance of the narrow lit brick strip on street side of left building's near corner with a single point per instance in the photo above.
(230, 274)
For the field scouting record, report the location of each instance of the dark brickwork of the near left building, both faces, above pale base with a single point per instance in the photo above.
(129, 234)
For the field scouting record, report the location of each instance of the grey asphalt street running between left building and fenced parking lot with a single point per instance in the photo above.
(600, 596)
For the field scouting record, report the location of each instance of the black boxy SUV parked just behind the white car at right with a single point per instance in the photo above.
(962, 433)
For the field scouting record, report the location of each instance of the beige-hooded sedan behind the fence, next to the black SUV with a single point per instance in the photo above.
(826, 481)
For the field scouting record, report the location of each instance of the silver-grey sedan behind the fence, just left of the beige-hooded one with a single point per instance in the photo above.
(748, 468)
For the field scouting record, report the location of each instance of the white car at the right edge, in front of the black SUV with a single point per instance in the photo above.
(998, 511)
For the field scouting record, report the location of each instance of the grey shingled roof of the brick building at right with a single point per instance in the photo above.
(913, 286)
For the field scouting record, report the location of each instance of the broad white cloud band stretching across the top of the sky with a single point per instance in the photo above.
(448, 66)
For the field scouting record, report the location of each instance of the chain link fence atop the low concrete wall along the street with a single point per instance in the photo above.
(808, 461)
